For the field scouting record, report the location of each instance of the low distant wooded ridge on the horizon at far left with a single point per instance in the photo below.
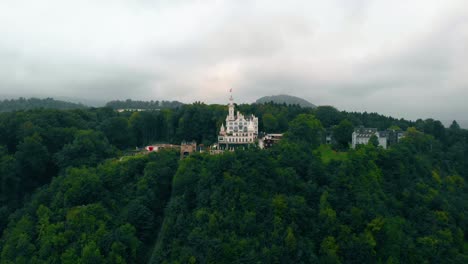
(8, 105)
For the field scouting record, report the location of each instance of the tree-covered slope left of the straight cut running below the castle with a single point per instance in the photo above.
(107, 214)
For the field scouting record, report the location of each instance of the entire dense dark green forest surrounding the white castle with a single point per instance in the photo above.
(68, 195)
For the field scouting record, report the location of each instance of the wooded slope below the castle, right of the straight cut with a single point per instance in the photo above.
(256, 206)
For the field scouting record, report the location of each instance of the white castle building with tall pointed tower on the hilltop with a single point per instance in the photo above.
(239, 129)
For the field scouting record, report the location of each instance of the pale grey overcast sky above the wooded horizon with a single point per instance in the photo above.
(401, 58)
